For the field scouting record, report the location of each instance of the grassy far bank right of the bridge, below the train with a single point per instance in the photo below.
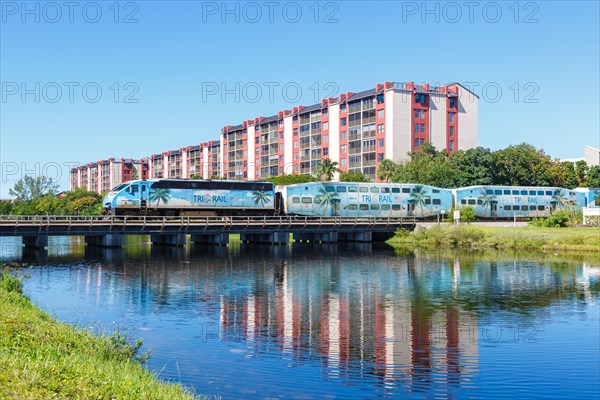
(510, 238)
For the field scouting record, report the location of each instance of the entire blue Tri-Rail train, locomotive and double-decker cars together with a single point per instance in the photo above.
(188, 197)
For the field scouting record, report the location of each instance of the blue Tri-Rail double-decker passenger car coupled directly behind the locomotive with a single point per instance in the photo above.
(346, 199)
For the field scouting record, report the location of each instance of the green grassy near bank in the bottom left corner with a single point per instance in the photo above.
(41, 358)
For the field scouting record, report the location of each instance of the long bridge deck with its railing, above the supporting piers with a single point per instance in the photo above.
(134, 225)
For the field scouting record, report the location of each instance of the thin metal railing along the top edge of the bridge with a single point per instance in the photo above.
(40, 220)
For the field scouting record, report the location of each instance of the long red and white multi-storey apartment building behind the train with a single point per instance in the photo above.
(358, 130)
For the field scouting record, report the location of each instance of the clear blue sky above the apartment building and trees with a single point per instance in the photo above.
(84, 81)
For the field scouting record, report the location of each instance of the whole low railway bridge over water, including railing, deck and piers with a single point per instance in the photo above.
(110, 231)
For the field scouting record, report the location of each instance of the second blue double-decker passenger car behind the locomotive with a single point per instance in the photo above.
(498, 202)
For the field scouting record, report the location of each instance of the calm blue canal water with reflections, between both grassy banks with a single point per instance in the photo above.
(339, 321)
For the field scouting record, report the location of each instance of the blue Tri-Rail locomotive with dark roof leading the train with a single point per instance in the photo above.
(173, 197)
